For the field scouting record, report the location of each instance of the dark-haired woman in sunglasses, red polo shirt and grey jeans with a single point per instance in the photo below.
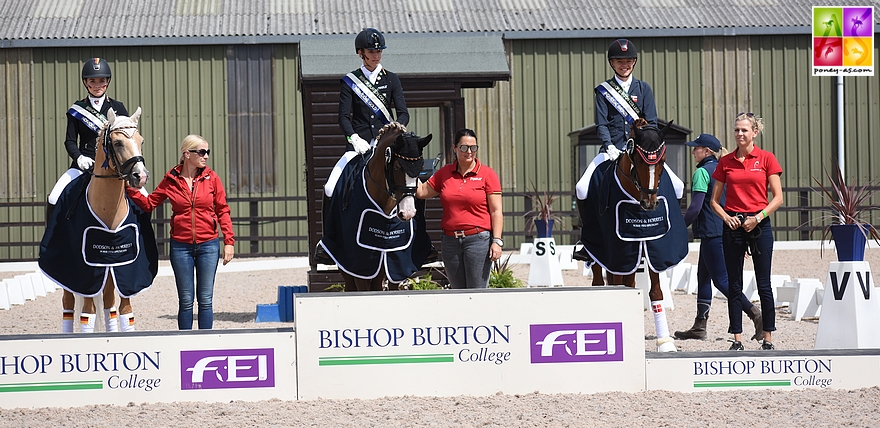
(470, 193)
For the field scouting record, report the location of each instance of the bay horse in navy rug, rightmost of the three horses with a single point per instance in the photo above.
(631, 212)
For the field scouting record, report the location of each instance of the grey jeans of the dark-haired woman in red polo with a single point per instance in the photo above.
(467, 260)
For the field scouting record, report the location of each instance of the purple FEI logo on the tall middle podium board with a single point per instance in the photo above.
(576, 343)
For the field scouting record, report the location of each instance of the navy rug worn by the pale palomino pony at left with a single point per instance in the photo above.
(79, 252)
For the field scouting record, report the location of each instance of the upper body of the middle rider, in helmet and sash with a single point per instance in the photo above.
(369, 94)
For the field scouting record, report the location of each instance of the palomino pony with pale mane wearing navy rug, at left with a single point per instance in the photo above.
(116, 239)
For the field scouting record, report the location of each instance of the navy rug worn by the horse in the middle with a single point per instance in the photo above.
(361, 239)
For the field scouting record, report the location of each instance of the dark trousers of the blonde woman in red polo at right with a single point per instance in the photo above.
(736, 242)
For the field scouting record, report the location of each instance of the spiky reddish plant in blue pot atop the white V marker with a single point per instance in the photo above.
(846, 206)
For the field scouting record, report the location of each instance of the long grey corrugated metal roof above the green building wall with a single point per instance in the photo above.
(83, 20)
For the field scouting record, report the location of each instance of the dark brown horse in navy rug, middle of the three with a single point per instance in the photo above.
(368, 230)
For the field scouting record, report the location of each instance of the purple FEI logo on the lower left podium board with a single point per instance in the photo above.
(227, 368)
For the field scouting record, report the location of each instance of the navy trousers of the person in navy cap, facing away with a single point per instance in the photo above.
(711, 268)
